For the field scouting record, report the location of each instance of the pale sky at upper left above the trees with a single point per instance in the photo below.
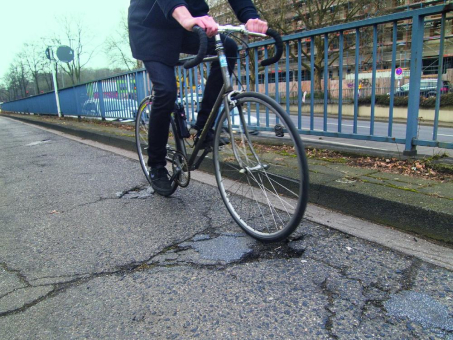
(30, 20)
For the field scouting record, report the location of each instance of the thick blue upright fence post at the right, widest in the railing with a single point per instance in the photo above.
(413, 106)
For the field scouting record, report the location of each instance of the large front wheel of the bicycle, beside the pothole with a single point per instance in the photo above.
(263, 181)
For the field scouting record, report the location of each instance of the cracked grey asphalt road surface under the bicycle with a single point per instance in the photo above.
(87, 251)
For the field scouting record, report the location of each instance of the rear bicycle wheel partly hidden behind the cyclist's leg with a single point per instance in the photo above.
(174, 143)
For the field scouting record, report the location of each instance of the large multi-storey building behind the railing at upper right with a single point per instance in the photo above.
(294, 16)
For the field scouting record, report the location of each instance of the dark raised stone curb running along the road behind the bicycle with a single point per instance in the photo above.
(354, 200)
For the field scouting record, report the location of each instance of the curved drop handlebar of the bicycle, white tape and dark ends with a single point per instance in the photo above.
(228, 28)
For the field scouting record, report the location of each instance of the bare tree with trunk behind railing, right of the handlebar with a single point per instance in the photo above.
(290, 16)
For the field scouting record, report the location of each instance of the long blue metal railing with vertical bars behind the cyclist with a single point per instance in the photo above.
(321, 105)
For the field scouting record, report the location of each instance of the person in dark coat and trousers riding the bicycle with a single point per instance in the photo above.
(158, 31)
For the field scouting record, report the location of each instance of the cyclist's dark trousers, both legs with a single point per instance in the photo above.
(163, 79)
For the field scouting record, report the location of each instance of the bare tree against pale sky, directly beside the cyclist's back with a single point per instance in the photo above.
(117, 48)
